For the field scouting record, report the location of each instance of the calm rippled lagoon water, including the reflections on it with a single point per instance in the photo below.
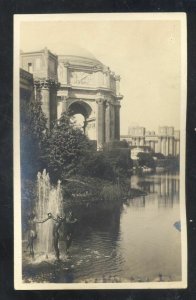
(136, 242)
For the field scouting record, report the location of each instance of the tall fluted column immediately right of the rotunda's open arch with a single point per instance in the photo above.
(100, 123)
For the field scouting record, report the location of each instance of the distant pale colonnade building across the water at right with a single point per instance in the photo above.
(166, 141)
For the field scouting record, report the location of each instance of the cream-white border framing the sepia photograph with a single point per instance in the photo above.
(18, 283)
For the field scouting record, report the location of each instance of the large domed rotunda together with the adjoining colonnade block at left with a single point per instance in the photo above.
(80, 83)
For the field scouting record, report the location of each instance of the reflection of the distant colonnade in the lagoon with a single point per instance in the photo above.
(163, 188)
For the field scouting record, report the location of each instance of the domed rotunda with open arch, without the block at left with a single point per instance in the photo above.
(90, 88)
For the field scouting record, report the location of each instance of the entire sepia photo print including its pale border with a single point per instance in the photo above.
(99, 151)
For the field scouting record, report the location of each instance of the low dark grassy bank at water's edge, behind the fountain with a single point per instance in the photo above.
(85, 191)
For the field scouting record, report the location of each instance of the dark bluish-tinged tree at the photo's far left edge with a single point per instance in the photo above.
(33, 132)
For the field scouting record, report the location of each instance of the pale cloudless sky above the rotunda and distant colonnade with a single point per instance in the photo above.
(145, 53)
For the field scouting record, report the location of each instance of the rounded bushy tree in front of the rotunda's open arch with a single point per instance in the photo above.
(66, 149)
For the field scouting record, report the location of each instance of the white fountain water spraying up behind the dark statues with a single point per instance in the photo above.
(49, 200)
